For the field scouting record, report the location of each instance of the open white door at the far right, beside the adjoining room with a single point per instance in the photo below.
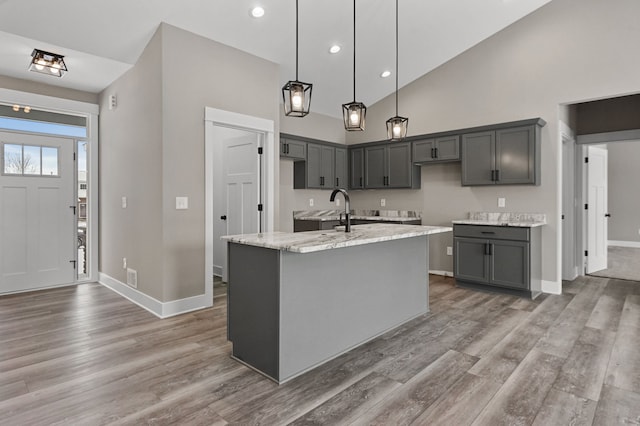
(597, 234)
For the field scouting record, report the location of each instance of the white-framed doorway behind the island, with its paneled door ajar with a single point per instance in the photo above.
(239, 183)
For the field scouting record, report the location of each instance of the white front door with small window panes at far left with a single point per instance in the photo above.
(37, 212)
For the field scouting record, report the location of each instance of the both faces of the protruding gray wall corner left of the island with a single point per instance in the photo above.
(161, 104)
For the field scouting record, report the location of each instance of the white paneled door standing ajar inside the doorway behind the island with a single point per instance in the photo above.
(238, 195)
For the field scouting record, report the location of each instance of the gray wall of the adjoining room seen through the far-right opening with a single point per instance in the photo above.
(624, 197)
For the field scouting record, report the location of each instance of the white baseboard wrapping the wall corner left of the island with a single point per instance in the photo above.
(159, 309)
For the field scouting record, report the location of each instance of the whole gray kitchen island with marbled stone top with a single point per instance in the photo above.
(297, 300)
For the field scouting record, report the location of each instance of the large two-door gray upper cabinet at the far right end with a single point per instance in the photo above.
(504, 156)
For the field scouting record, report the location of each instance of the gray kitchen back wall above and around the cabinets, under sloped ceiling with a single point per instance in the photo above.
(561, 54)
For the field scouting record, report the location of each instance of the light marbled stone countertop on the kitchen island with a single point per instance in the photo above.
(312, 241)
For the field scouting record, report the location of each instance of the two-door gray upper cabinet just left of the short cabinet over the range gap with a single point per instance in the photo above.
(390, 166)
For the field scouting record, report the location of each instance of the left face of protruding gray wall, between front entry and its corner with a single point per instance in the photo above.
(131, 166)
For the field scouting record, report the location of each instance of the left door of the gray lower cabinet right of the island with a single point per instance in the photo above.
(471, 261)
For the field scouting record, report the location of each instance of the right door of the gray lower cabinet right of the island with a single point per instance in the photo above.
(510, 264)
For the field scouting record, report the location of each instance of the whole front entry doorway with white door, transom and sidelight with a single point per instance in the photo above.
(44, 157)
